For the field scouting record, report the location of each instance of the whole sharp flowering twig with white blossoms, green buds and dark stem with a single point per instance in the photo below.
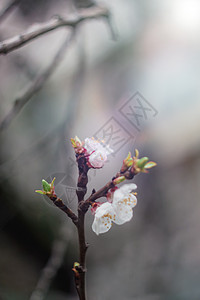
(119, 204)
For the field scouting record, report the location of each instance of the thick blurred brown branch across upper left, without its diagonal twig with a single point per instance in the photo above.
(40, 29)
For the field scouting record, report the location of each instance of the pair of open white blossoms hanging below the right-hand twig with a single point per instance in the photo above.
(118, 211)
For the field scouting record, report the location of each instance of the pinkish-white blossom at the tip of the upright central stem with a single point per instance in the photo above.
(97, 154)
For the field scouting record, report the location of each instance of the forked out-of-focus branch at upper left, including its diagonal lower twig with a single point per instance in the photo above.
(34, 32)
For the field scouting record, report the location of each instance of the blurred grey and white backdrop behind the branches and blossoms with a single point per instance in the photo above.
(144, 89)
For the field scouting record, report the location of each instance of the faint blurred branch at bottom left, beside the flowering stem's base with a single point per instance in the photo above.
(55, 261)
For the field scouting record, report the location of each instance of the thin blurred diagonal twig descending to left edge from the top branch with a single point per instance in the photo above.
(36, 85)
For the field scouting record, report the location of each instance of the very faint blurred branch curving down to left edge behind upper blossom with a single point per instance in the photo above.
(7, 170)
